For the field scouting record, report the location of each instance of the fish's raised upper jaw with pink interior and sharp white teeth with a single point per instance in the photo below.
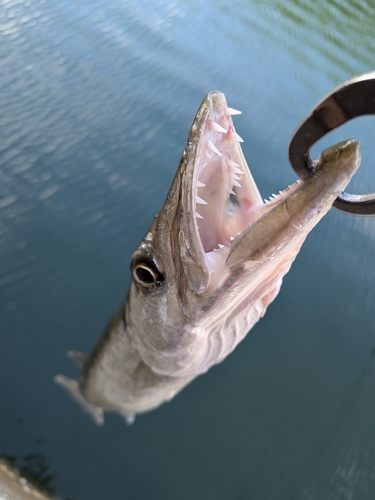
(219, 196)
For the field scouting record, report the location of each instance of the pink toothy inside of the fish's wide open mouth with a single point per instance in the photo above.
(226, 198)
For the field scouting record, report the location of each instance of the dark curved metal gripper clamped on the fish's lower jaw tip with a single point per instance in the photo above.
(354, 98)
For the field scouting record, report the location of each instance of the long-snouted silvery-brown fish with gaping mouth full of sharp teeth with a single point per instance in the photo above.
(206, 271)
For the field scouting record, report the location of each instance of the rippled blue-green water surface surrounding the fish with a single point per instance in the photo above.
(96, 100)
